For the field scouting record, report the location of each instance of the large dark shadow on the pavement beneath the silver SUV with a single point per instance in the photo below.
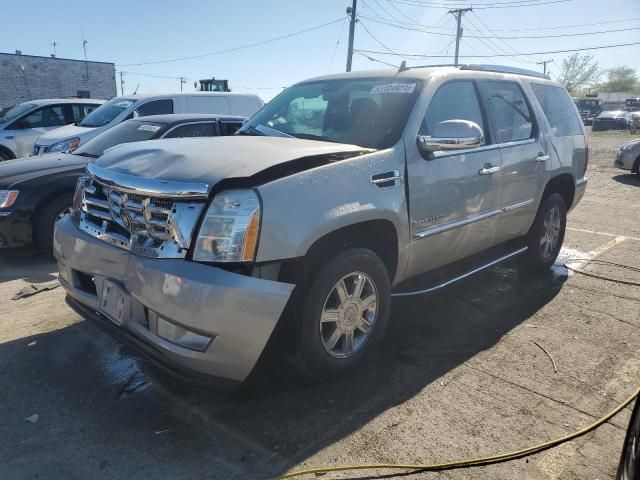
(276, 422)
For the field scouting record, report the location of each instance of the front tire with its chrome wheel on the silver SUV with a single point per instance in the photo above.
(326, 349)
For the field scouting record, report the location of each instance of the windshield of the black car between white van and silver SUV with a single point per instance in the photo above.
(129, 131)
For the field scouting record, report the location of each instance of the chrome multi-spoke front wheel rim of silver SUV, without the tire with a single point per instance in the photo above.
(349, 315)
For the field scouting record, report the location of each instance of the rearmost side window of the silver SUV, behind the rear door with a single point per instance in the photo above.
(559, 110)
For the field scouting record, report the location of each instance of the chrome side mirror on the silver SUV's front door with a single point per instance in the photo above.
(451, 135)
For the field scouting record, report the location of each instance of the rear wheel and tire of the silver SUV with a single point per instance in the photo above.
(550, 223)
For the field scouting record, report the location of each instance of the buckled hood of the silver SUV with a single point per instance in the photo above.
(209, 160)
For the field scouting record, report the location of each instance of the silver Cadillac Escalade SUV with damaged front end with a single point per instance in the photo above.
(341, 193)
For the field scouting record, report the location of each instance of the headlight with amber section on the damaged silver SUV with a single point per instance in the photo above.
(230, 228)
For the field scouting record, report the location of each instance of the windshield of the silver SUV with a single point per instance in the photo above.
(370, 112)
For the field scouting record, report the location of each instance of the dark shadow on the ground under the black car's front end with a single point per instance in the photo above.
(15, 262)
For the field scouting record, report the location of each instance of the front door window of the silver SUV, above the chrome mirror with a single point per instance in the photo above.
(456, 100)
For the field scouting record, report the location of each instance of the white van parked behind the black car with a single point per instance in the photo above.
(119, 109)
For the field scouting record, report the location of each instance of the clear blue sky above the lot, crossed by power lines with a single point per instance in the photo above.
(127, 32)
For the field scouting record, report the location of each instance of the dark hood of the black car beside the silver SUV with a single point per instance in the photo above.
(16, 171)
